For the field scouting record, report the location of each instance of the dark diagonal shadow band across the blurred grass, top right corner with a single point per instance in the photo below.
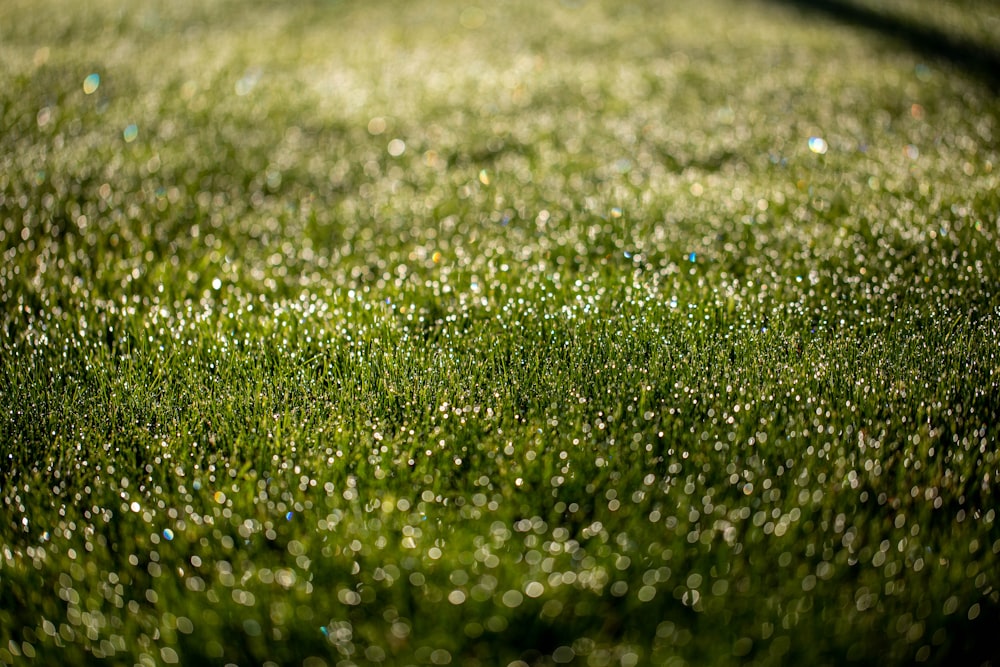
(979, 60)
